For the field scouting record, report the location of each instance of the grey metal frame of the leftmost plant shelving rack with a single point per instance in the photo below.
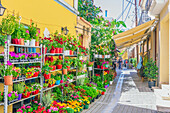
(6, 58)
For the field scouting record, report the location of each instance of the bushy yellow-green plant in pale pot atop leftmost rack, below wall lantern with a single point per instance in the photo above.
(8, 26)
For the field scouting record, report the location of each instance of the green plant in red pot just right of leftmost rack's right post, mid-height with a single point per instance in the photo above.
(46, 71)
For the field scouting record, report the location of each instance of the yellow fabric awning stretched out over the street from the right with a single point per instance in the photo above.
(133, 35)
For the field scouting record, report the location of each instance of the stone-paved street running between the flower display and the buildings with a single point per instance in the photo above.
(127, 95)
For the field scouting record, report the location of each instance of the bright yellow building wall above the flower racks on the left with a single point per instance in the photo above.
(44, 13)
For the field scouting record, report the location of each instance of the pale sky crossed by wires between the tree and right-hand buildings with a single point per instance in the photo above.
(114, 8)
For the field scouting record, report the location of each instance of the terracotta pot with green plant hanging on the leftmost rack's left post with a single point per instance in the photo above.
(7, 73)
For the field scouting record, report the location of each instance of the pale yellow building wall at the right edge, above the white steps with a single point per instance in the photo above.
(164, 46)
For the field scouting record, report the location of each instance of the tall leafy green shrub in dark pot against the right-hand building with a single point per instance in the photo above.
(150, 71)
